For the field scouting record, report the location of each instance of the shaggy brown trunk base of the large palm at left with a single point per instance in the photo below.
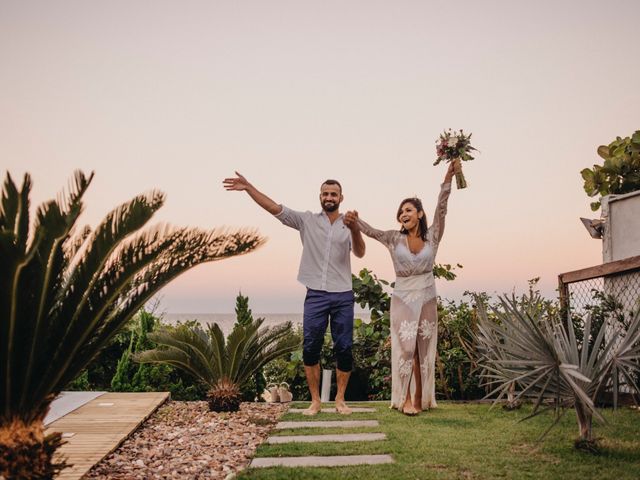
(25, 452)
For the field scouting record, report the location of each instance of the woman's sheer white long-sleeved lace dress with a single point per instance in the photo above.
(414, 313)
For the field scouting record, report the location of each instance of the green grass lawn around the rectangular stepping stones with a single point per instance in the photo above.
(467, 441)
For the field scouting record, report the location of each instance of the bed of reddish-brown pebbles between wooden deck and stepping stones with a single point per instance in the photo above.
(184, 440)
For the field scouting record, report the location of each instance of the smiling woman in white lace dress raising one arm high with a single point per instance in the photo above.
(414, 313)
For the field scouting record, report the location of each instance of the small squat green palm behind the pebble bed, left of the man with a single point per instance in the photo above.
(224, 367)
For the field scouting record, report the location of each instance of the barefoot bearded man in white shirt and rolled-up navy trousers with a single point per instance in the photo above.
(325, 269)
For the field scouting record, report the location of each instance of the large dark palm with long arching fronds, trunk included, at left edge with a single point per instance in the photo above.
(65, 292)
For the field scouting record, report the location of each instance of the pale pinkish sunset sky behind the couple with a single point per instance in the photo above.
(176, 96)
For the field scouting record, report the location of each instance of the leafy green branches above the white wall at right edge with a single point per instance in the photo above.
(620, 172)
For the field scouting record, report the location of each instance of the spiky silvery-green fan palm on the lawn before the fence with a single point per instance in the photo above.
(526, 345)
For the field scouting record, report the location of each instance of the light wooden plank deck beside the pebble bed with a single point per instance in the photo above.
(100, 426)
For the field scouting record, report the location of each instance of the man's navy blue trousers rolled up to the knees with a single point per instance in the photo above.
(320, 308)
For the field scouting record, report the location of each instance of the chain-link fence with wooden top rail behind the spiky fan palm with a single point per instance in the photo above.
(609, 293)
